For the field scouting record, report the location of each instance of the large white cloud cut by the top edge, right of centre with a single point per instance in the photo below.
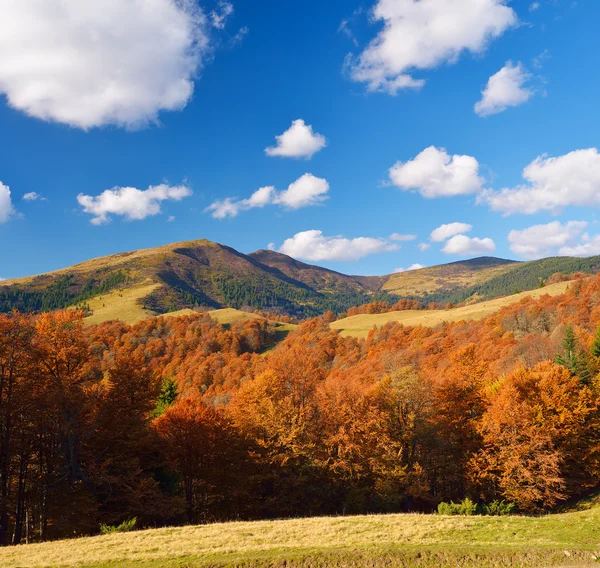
(423, 34)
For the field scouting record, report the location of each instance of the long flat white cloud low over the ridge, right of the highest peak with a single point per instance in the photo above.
(314, 246)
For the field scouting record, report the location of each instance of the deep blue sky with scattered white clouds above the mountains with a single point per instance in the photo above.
(365, 136)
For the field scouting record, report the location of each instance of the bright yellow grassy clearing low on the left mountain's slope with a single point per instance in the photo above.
(121, 305)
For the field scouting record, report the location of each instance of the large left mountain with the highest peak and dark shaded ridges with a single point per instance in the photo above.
(193, 274)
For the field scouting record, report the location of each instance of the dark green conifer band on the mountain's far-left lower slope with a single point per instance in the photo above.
(67, 290)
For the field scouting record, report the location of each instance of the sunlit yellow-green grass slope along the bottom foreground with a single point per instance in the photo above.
(568, 539)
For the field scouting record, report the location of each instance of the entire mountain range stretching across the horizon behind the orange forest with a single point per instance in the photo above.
(205, 275)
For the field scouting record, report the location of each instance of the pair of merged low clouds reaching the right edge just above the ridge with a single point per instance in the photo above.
(554, 238)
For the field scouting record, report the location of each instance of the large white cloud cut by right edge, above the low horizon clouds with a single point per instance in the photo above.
(551, 185)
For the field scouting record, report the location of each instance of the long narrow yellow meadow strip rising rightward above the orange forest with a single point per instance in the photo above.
(359, 326)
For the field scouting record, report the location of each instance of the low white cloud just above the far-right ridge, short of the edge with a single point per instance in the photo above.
(543, 240)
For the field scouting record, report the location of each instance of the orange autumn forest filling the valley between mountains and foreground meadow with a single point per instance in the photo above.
(181, 420)
